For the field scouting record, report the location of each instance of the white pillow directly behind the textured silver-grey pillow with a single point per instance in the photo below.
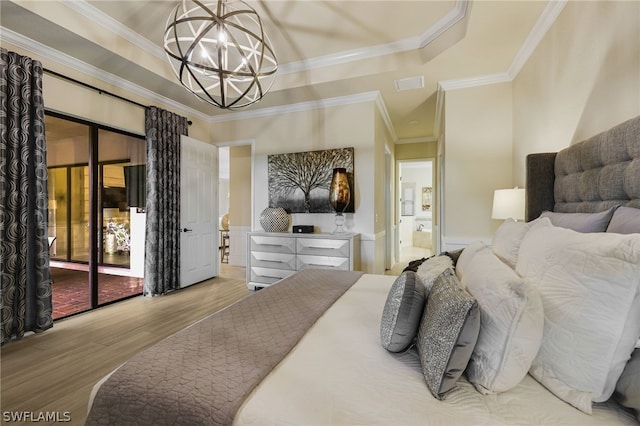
(511, 323)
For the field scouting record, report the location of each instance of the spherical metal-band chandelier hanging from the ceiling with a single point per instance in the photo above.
(220, 52)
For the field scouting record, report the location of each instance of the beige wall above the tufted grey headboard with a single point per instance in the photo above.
(582, 79)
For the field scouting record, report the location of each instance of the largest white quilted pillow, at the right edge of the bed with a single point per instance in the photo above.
(589, 284)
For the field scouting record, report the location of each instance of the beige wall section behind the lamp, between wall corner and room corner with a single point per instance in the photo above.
(477, 157)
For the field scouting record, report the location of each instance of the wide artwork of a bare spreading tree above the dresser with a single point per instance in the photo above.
(299, 182)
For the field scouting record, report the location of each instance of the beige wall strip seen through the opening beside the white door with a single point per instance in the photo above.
(240, 185)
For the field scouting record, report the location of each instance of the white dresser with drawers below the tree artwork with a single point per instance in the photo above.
(273, 256)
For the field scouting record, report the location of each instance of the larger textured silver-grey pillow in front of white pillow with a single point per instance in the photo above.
(448, 333)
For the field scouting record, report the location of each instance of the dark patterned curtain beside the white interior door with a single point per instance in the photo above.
(162, 247)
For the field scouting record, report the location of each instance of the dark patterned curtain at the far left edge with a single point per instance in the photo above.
(25, 289)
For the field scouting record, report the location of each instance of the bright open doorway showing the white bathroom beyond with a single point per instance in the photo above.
(415, 209)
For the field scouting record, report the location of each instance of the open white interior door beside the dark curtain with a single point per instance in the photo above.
(198, 211)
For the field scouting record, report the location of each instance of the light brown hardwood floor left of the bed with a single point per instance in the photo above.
(54, 372)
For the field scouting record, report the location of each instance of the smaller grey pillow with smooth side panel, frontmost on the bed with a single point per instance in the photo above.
(402, 312)
